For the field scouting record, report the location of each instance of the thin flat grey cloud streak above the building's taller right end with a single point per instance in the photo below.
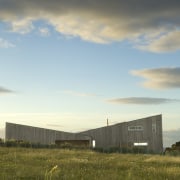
(142, 100)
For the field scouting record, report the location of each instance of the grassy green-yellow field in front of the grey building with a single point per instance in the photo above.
(21, 163)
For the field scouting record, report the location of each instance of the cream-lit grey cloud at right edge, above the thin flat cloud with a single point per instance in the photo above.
(160, 78)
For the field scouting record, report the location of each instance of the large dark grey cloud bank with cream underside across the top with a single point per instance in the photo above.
(145, 23)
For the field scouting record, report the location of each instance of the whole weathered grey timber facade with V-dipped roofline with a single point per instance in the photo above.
(145, 132)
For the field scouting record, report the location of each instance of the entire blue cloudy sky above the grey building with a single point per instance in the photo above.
(70, 65)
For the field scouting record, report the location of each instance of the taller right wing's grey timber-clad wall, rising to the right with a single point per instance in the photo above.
(119, 135)
